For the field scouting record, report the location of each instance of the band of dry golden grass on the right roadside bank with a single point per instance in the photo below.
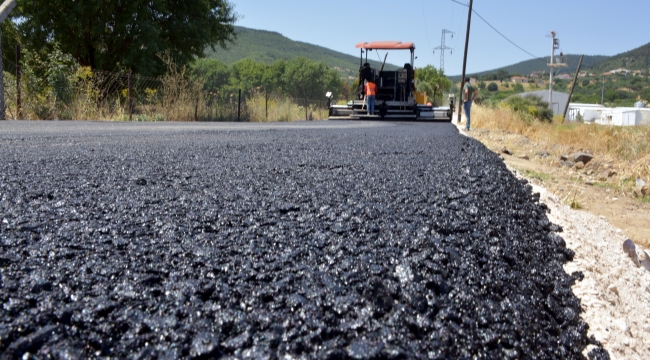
(628, 148)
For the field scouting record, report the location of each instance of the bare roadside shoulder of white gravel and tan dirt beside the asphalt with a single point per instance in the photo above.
(615, 293)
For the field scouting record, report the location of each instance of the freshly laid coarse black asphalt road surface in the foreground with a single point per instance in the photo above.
(321, 240)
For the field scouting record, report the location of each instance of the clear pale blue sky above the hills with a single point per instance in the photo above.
(590, 27)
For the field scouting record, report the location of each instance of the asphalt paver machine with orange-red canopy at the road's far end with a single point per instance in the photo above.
(396, 97)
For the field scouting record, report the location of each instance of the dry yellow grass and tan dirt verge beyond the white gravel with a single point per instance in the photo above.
(605, 186)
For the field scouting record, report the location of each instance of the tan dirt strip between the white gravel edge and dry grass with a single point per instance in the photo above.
(593, 188)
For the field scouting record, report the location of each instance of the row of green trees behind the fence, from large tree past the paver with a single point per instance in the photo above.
(58, 37)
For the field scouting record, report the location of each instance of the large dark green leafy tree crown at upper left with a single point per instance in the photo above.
(119, 35)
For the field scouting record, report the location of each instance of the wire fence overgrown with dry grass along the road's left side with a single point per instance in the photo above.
(46, 94)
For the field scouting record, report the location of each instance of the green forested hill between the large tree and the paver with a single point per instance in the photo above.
(269, 47)
